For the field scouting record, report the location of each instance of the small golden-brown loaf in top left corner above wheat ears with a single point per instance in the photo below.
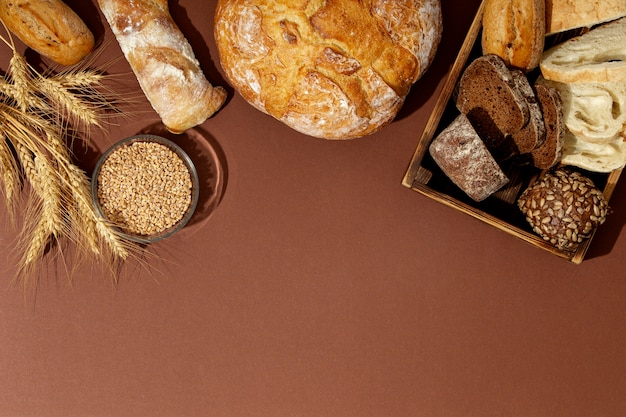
(49, 27)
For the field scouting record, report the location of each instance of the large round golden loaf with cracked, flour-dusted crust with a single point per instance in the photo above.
(337, 69)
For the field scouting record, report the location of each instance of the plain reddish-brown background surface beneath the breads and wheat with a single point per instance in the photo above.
(320, 286)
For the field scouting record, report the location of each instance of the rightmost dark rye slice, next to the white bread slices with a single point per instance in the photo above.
(550, 152)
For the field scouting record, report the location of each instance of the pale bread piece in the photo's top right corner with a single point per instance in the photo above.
(563, 15)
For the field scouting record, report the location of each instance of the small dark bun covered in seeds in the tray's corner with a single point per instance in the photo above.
(564, 208)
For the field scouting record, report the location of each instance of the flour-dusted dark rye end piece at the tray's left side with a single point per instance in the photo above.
(464, 158)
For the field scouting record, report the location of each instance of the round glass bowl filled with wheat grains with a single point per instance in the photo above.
(147, 186)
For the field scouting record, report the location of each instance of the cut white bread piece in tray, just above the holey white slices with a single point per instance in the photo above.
(595, 56)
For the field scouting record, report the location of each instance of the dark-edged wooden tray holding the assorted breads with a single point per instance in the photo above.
(499, 210)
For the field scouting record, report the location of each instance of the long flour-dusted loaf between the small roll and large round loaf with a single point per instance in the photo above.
(163, 62)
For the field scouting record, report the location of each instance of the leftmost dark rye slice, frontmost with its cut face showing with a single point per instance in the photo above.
(491, 100)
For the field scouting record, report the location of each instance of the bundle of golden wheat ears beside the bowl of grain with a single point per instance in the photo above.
(41, 114)
